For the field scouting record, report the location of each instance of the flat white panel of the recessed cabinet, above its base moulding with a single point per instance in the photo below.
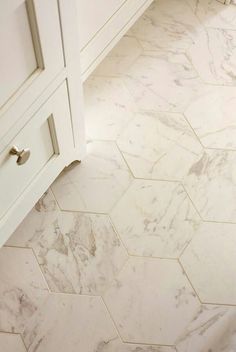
(93, 15)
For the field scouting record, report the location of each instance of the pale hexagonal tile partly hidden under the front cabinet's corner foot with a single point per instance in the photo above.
(97, 183)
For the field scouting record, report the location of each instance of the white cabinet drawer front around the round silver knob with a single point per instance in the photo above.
(47, 135)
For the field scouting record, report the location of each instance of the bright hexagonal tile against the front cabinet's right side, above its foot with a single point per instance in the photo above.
(108, 107)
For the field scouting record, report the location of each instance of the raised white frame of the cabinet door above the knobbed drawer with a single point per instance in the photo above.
(46, 34)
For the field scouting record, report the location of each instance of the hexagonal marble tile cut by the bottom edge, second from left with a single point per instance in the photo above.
(69, 323)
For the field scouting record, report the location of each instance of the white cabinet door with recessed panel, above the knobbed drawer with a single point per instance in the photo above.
(31, 55)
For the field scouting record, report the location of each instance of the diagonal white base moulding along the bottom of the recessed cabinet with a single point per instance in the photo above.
(106, 38)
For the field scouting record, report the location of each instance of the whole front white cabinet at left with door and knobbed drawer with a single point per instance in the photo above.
(40, 101)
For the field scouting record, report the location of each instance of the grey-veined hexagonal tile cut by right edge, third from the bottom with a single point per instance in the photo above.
(211, 184)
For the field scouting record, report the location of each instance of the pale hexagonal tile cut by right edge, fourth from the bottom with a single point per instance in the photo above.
(212, 116)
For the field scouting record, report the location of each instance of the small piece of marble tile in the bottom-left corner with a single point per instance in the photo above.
(12, 343)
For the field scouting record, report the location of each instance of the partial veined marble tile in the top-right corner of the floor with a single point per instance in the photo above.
(214, 14)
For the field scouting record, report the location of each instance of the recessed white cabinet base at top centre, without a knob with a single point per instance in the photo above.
(101, 24)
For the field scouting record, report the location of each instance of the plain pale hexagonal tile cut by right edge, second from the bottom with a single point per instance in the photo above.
(209, 261)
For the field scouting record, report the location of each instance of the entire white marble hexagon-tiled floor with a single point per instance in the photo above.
(134, 249)
